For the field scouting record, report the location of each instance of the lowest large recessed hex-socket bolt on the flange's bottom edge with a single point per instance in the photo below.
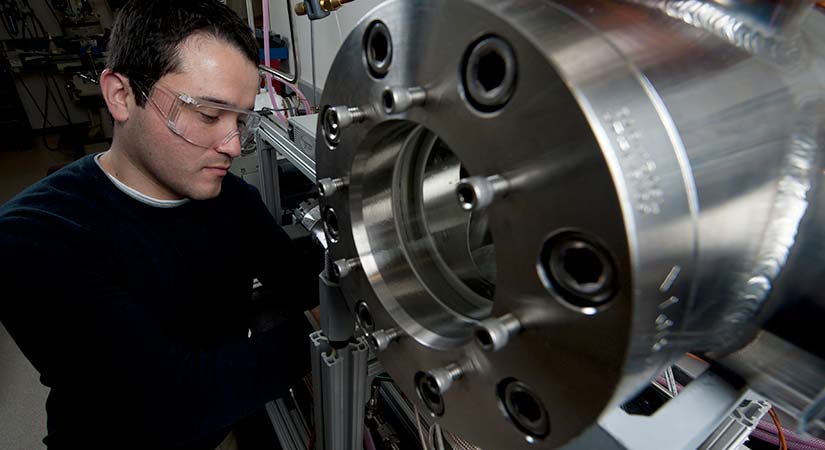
(524, 409)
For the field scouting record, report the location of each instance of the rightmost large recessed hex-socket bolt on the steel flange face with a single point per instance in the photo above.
(578, 269)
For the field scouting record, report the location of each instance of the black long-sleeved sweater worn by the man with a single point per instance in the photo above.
(137, 317)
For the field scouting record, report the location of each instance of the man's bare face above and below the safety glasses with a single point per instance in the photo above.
(210, 69)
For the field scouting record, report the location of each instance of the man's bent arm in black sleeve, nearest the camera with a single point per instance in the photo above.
(83, 332)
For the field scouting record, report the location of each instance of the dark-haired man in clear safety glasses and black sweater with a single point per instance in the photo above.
(127, 275)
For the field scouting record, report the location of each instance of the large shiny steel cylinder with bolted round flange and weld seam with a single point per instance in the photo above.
(550, 201)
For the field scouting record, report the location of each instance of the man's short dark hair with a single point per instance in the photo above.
(147, 35)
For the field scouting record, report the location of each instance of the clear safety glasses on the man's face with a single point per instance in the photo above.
(200, 122)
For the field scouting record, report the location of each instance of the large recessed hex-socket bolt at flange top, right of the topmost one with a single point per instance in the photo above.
(489, 74)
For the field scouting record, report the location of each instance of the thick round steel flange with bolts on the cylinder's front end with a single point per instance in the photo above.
(560, 247)
